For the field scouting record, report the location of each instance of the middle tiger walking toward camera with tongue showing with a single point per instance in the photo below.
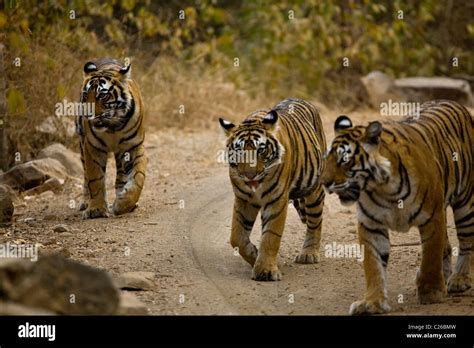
(288, 143)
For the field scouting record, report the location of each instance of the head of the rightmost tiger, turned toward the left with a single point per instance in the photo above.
(354, 161)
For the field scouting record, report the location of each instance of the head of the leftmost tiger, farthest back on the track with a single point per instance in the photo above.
(106, 86)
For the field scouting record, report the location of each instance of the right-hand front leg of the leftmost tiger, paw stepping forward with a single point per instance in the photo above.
(130, 179)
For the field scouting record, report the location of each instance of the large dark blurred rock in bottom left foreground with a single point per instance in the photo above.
(60, 285)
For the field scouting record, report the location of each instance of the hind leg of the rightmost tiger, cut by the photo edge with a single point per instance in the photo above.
(460, 280)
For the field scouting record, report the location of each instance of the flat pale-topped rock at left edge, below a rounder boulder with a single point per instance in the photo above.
(34, 173)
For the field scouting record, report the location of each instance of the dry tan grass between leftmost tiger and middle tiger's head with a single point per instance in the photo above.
(182, 96)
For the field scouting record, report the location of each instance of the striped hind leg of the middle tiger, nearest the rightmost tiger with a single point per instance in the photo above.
(313, 208)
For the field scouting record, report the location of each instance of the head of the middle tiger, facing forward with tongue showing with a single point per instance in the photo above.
(253, 148)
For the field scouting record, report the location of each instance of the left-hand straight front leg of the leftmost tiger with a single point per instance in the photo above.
(95, 163)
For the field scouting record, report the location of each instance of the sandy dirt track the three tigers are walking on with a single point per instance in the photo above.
(181, 232)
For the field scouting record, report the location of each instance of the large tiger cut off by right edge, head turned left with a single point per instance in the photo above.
(401, 174)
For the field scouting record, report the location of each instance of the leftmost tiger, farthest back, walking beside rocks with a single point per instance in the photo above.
(117, 125)
